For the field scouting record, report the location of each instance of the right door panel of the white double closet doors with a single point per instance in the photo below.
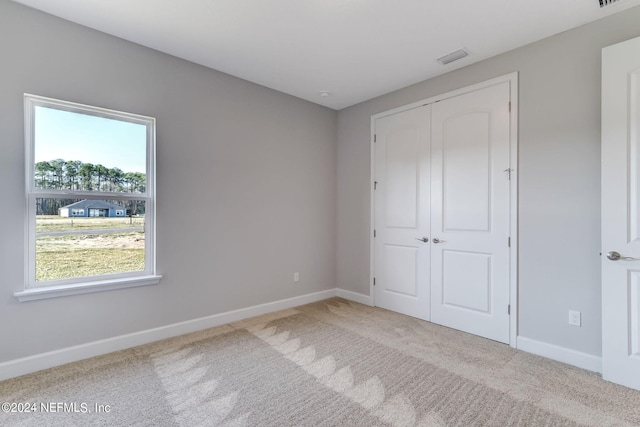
(470, 204)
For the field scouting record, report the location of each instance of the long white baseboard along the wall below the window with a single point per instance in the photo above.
(27, 365)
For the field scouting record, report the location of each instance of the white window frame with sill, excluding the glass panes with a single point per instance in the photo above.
(39, 290)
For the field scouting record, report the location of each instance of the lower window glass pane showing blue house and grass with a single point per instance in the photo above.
(88, 237)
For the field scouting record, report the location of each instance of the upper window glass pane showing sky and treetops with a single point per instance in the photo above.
(82, 152)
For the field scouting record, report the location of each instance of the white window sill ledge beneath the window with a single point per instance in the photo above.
(85, 288)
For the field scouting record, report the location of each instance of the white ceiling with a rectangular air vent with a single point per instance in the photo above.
(353, 49)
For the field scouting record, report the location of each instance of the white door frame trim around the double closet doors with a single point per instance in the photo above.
(512, 78)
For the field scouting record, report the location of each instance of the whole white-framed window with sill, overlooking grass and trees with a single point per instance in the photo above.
(87, 167)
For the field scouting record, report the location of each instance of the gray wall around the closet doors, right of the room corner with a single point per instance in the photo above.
(559, 172)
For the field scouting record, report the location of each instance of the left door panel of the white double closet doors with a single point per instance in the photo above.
(402, 212)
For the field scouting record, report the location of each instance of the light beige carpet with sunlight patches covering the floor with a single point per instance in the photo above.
(331, 363)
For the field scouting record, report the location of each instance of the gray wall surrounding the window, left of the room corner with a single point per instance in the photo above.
(246, 184)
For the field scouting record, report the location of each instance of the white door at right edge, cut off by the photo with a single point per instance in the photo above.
(621, 213)
